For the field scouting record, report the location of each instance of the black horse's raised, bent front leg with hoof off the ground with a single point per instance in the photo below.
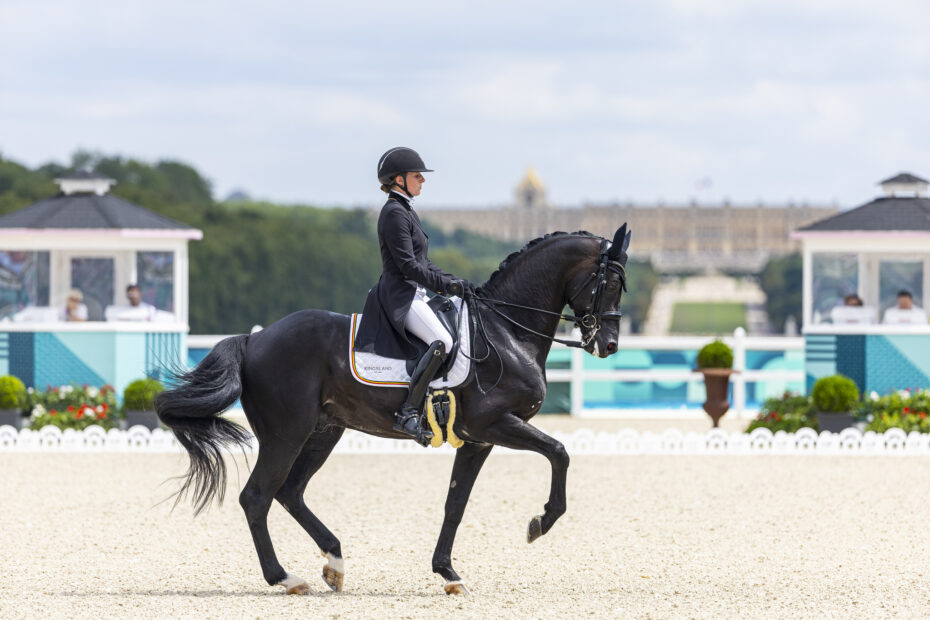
(513, 432)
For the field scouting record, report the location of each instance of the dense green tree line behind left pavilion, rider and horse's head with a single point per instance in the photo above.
(260, 261)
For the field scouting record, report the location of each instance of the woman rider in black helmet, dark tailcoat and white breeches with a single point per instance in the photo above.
(397, 303)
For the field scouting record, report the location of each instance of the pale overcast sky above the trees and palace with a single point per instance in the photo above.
(295, 101)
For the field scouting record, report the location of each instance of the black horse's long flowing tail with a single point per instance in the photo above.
(190, 409)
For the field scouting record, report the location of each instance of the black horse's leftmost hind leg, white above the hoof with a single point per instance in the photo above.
(274, 461)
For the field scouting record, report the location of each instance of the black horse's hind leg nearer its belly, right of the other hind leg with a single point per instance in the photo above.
(291, 496)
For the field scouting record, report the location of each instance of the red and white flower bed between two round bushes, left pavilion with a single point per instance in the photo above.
(71, 406)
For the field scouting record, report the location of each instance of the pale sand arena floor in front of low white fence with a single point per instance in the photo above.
(83, 535)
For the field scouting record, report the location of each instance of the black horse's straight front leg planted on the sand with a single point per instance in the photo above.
(468, 461)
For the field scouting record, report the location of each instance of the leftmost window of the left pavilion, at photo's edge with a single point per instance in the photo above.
(24, 280)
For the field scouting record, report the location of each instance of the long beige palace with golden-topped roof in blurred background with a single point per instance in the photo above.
(677, 238)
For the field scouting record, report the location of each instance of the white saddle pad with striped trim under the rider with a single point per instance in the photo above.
(372, 369)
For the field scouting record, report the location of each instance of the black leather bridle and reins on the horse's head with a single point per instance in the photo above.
(592, 320)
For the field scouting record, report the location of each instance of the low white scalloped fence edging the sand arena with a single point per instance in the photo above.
(582, 442)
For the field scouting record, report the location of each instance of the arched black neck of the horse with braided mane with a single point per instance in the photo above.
(538, 280)
